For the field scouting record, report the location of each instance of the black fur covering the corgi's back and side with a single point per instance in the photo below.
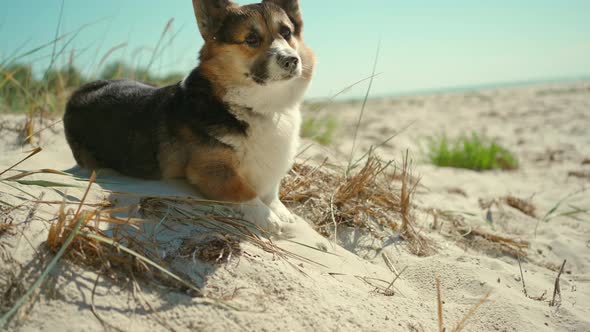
(123, 124)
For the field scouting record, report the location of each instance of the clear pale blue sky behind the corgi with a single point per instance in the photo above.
(425, 44)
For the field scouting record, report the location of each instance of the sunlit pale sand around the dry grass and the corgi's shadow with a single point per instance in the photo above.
(534, 122)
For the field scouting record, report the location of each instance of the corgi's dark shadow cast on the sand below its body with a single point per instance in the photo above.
(185, 247)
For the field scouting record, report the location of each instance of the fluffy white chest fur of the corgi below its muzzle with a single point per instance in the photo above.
(273, 114)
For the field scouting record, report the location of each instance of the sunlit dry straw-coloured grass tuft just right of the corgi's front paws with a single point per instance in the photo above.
(376, 198)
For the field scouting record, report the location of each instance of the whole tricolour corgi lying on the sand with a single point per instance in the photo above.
(230, 128)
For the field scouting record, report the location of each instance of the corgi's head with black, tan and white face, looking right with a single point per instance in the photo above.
(252, 45)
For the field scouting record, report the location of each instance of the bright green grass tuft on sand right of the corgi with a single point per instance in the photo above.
(470, 152)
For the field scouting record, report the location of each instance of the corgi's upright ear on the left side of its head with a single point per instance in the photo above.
(210, 15)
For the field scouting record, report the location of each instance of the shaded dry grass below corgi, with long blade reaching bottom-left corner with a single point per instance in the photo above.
(127, 252)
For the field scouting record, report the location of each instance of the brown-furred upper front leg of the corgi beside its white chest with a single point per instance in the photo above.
(215, 175)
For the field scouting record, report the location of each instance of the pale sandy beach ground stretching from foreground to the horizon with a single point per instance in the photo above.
(365, 281)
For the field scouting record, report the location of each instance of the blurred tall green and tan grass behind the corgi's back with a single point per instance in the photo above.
(39, 92)
